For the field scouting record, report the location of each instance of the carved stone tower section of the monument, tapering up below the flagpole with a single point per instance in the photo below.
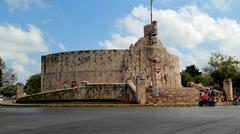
(148, 58)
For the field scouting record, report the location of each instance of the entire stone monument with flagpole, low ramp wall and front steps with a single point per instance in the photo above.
(146, 63)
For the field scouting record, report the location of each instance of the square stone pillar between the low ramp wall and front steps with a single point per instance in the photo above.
(141, 90)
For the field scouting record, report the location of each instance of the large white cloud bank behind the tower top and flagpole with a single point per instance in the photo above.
(188, 32)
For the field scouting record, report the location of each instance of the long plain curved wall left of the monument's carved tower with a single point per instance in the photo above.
(94, 66)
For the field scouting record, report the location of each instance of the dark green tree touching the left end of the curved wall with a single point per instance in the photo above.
(33, 84)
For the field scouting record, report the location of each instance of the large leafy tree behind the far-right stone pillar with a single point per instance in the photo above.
(222, 67)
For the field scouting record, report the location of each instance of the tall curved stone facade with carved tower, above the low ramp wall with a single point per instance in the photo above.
(147, 57)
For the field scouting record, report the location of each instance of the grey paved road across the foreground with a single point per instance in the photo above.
(139, 120)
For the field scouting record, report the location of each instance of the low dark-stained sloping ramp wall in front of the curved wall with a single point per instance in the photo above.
(120, 92)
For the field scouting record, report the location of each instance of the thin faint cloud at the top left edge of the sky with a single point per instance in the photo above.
(24, 4)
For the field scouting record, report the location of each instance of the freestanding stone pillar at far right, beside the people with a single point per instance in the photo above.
(227, 86)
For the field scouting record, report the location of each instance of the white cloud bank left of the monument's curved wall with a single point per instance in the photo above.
(16, 44)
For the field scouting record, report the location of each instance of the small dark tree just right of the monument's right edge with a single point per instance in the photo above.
(191, 73)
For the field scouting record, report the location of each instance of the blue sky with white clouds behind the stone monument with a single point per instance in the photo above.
(190, 29)
